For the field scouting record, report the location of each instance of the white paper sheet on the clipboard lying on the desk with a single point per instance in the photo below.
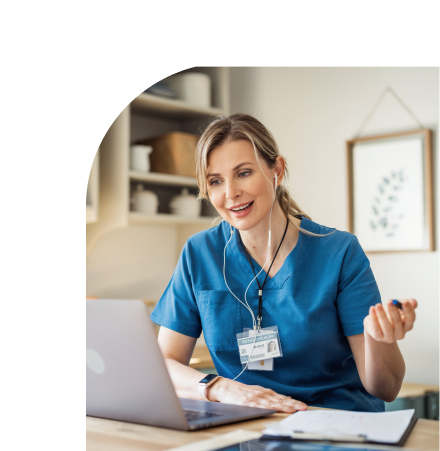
(386, 427)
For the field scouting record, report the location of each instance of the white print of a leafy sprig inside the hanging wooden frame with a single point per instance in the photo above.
(388, 194)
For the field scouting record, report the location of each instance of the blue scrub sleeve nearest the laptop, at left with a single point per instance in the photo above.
(177, 308)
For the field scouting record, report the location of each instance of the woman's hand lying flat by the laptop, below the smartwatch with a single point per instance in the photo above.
(232, 392)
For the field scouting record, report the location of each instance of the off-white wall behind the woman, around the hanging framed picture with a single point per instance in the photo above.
(312, 111)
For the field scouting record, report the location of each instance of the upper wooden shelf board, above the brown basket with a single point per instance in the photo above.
(170, 108)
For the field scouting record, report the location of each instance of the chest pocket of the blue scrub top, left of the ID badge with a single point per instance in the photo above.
(220, 316)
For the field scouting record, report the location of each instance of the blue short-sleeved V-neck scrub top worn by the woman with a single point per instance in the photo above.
(321, 294)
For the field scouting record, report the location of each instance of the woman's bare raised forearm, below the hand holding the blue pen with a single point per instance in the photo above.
(384, 368)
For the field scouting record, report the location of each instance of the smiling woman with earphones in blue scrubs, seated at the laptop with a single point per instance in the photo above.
(338, 341)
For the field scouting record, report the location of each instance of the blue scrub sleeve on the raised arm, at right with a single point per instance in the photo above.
(357, 289)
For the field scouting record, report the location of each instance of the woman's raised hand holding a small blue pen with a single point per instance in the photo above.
(387, 323)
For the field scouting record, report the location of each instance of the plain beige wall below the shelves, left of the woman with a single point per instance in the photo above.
(135, 262)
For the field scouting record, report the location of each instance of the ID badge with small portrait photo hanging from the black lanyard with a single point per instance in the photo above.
(256, 346)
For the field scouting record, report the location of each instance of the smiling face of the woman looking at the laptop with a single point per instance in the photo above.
(237, 188)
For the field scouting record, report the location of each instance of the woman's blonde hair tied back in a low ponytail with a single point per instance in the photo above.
(243, 126)
